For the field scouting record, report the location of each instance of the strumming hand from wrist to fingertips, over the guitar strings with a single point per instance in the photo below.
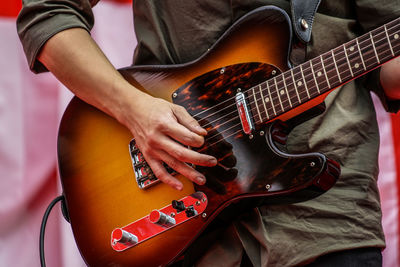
(162, 131)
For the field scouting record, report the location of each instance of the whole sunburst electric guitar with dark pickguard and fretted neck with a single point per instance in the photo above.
(240, 91)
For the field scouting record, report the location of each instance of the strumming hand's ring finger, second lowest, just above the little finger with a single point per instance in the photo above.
(183, 169)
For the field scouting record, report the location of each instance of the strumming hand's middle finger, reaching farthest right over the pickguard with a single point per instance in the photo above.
(184, 154)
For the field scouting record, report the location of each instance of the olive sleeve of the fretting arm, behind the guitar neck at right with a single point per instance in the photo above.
(370, 15)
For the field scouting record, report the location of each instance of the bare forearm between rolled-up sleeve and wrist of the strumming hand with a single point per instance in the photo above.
(76, 60)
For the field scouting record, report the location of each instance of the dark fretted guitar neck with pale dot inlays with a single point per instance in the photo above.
(319, 75)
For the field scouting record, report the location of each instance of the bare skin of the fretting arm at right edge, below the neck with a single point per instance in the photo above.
(390, 79)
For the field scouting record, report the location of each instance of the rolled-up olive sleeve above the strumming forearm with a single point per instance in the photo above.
(39, 20)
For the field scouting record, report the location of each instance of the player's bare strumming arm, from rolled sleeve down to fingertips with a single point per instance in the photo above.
(161, 129)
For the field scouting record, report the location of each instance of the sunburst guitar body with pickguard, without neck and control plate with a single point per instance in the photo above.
(96, 170)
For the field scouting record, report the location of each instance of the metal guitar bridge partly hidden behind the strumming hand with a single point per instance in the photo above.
(143, 173)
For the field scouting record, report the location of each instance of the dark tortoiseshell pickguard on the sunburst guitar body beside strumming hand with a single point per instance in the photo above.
(247, 166)
